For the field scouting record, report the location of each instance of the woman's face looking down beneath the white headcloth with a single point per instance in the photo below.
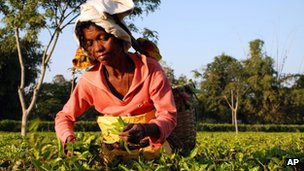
(104, 47)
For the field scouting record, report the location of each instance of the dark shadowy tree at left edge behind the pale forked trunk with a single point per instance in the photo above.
(10, 74)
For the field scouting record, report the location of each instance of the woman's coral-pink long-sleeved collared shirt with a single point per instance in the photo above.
(150, 89)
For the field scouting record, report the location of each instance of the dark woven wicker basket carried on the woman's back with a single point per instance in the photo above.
(183, 136)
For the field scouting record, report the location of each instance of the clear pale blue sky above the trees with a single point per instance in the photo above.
(193, 32)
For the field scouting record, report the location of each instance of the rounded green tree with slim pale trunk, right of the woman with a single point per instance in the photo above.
(222, 82)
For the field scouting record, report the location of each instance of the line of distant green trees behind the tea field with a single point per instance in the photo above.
(252, 89)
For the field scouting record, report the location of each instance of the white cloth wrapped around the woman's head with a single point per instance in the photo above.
(100, 11)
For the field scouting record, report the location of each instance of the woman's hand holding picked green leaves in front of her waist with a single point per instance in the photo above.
(133, 133)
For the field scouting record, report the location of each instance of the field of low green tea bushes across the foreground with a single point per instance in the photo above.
(214, 151)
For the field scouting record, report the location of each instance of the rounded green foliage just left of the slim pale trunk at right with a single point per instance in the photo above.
(218, 79)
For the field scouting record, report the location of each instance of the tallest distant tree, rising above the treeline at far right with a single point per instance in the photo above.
(261, 102)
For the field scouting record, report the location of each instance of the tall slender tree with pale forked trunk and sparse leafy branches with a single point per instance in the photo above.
(28, 17)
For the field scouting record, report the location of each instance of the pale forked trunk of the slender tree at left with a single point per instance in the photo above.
(61, 20)
